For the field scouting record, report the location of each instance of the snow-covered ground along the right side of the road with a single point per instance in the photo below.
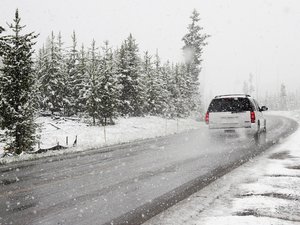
(265, 190)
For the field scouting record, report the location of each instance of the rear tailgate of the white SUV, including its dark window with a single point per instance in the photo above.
(233, 112)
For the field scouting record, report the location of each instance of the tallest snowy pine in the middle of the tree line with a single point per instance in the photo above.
(132, 98)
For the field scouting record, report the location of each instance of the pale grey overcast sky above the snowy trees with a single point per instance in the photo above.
(247, 36)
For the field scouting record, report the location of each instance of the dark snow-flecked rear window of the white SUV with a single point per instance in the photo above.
(230, 105)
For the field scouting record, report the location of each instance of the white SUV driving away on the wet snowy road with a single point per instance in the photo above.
(232, 112)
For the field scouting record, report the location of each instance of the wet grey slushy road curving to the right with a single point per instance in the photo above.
(124, 183)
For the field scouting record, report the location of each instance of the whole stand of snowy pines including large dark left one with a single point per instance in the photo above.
(97, 81)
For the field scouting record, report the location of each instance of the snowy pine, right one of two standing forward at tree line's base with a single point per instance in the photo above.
(108, 87)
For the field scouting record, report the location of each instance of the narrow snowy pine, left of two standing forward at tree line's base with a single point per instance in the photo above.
(92, 91)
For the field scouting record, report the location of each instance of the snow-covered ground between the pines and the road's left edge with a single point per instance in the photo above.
(55, 132)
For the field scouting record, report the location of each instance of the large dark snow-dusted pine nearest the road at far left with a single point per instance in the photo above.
(16, 83)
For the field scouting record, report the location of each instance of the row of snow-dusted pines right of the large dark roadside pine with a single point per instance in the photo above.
(104, 83)
